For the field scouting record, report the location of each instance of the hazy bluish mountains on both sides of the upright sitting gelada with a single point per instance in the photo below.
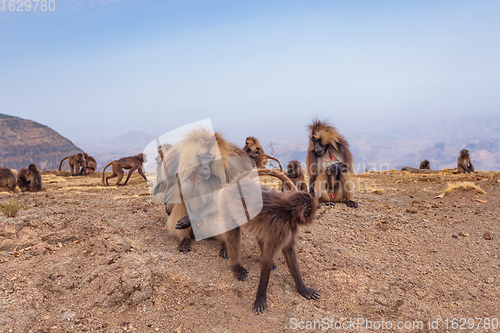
(439, 142)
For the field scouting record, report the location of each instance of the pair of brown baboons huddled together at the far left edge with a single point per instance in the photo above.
(28, 179)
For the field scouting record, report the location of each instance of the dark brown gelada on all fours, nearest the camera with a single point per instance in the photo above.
(275, 227)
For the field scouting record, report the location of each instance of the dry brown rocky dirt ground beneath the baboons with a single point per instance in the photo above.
(84, 257)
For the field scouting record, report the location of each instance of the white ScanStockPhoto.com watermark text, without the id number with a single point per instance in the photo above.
(354, 324)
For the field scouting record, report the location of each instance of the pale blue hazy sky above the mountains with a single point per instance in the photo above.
(98, 69)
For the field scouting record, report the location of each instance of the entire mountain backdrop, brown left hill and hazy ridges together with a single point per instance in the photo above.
(23, 142)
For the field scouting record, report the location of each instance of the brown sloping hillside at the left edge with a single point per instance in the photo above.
(23, 142)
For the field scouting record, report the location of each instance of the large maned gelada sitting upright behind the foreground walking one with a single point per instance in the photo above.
(329, 163)
